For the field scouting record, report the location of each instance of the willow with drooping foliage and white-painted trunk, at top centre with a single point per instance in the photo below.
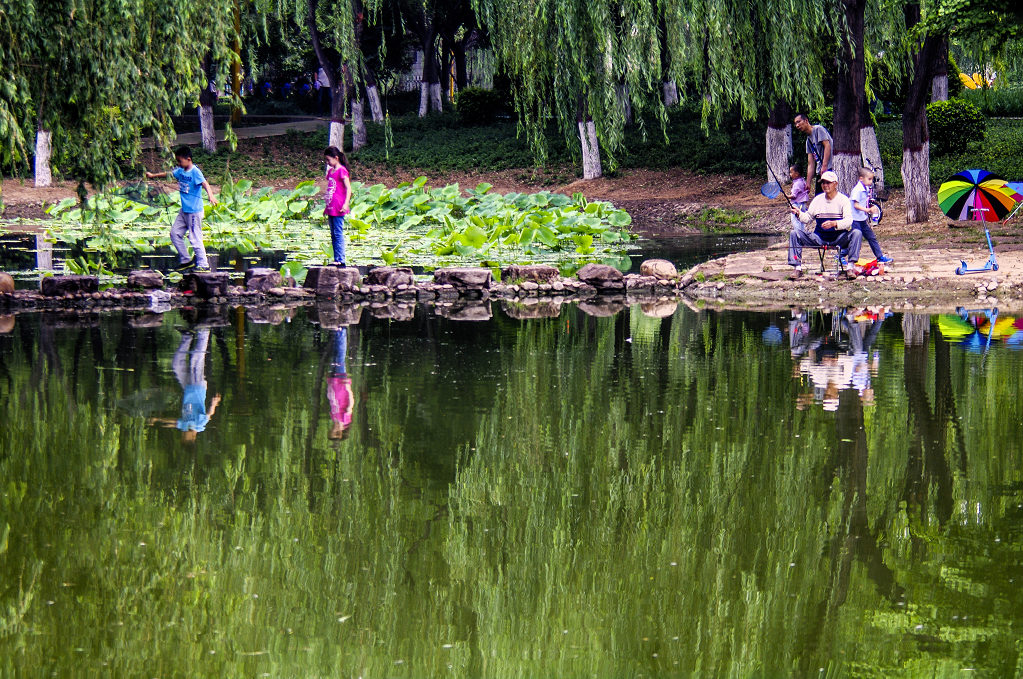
(572, 62)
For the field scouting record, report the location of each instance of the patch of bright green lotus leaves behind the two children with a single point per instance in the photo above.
(410, 224)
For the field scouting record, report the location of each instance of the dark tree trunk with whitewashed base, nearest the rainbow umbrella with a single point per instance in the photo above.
(916, 146)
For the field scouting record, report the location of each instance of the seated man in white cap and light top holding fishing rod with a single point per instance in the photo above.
(832, 214)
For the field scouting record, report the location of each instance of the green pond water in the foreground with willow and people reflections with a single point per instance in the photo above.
(707, 494)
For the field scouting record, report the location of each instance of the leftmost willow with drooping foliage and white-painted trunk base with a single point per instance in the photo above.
(92, 76)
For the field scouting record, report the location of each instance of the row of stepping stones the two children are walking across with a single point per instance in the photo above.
(526, 292)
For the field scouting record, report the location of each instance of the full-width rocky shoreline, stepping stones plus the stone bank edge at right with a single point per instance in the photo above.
(525, 292)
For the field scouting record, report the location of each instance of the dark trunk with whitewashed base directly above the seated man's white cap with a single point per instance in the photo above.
(850, 98)
